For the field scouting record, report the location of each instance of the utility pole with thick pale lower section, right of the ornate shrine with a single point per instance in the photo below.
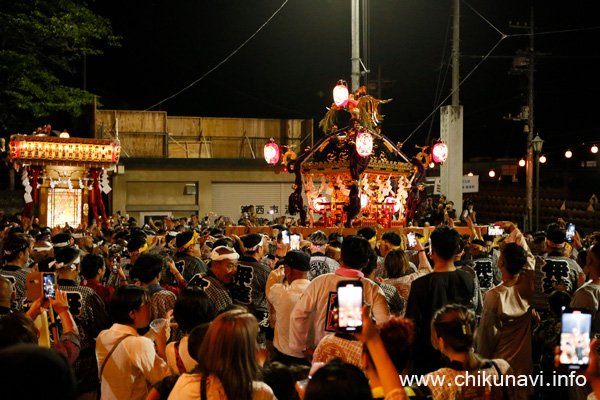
(451, 127)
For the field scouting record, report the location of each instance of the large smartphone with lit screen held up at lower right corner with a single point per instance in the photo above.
(576, 326)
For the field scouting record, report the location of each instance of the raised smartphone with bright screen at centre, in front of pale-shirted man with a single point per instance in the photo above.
(350, 299)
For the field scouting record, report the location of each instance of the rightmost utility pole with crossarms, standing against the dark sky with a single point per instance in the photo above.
(527, 114)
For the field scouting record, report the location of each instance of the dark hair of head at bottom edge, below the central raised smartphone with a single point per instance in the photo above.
(338, 381)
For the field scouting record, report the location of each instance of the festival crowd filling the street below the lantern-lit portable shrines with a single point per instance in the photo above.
(178, 309)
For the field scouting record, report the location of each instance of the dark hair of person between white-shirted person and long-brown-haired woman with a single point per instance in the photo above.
(193, 307)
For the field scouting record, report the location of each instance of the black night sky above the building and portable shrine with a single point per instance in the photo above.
(290, 67)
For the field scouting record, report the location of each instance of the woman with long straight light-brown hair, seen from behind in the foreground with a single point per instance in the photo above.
(228, 367)
